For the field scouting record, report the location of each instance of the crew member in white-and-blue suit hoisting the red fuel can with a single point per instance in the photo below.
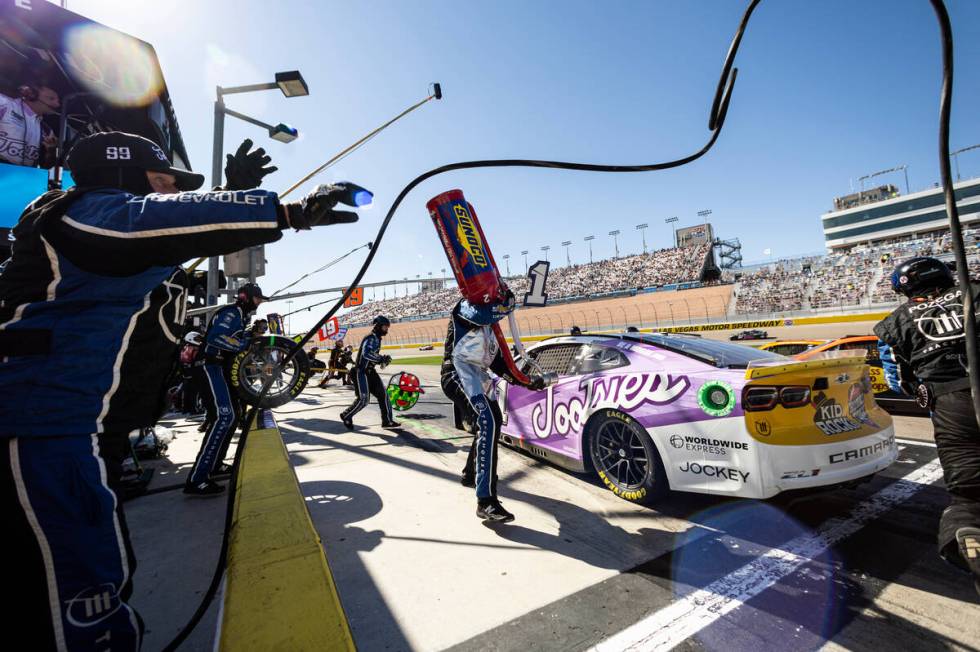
(472, 347)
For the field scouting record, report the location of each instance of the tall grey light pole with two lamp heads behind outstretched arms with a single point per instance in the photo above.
(291, 84)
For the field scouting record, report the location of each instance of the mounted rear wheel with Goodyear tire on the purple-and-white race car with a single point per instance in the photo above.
(625, 458)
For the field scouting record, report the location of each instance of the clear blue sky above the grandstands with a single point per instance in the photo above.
(827, 92)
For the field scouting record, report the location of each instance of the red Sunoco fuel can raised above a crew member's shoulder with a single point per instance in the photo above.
(466, 247)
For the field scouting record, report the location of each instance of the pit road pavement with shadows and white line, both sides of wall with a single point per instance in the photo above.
(581, 569)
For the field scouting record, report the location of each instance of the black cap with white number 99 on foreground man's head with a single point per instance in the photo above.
(112, 152)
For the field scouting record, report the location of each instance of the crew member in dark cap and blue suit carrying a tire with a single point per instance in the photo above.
(225, 338)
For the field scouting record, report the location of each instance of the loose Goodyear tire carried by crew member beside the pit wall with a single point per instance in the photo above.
(253, 366)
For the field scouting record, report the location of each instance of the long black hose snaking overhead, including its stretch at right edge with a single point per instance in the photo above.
(716, 120)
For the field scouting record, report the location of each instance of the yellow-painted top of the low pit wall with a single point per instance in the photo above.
(279, 593)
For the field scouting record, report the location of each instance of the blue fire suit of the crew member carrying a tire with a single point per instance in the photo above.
(226, 337)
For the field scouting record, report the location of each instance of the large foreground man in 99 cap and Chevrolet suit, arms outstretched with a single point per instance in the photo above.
(91, 311)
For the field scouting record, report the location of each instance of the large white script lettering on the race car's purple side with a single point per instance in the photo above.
(623, 392)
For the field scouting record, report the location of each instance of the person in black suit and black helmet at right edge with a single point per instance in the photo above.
(923, 351)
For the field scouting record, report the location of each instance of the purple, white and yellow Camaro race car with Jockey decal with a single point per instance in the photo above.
(652, 412)
